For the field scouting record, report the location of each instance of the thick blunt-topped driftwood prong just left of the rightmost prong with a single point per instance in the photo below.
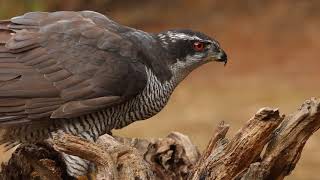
(228, 159)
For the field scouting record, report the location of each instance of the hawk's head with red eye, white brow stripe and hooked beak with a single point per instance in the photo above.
(188, 50)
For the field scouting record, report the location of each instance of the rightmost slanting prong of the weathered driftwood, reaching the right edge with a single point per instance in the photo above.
(284, 150)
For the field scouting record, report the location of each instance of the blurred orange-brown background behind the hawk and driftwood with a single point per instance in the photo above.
(273, 48)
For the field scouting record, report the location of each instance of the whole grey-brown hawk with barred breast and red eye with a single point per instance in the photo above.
(84, 74)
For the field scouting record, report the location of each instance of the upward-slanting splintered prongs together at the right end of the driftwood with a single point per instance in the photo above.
(267, 147)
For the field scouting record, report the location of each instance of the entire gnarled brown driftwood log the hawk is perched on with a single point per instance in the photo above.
(268, 146)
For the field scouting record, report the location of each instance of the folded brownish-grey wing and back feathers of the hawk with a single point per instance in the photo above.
(62, 65)
